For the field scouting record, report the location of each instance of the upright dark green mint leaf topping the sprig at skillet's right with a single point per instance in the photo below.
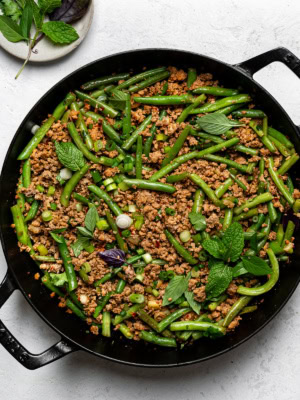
(233, 240)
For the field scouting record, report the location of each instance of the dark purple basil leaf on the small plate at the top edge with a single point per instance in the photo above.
(70, 11)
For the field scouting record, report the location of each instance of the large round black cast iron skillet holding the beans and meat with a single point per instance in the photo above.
(21, 268)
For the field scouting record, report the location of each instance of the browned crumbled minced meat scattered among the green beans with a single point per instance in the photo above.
(45, 167)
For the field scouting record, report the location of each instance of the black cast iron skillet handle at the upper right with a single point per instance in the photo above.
(280, 54)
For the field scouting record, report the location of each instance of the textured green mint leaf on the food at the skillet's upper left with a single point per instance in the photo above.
(69, 155)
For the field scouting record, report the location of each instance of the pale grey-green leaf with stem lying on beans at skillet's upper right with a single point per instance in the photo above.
(216, 124)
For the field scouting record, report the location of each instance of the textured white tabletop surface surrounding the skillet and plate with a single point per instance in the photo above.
(267, 367)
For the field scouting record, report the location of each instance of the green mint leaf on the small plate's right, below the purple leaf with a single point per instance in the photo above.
(59, 32)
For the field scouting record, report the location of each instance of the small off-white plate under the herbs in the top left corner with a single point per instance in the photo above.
(45, 50)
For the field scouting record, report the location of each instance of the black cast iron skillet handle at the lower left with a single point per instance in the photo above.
(11, 344)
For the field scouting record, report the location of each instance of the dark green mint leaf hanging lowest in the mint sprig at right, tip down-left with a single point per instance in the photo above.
(218, 280)
